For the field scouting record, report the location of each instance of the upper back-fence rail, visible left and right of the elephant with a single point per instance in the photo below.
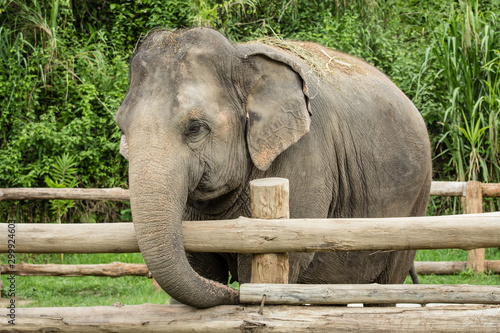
(457, 189)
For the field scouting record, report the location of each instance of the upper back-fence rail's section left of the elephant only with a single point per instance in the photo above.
(112, 194)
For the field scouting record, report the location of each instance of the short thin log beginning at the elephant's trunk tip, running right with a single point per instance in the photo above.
(332, 294)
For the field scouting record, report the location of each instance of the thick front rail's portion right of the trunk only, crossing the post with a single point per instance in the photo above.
(323, 235)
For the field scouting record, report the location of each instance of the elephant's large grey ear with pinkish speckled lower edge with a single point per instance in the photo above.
(277, 107)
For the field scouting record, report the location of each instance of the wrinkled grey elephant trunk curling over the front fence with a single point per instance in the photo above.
(158, 195)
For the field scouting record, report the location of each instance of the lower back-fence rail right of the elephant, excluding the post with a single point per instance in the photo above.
(451, 267)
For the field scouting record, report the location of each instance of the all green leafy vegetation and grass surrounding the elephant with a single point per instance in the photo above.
(64, 73)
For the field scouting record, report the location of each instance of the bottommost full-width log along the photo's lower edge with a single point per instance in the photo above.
(180, 318)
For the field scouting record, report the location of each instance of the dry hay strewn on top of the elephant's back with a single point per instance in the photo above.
(321, 60)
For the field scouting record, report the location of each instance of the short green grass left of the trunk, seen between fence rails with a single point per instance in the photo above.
(43, 291)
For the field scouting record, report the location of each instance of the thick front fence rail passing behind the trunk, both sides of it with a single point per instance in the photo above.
(246, 235)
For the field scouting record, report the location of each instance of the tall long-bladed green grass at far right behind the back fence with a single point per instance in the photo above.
(467, 51)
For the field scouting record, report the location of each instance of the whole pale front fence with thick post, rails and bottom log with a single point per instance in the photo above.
(269, 241)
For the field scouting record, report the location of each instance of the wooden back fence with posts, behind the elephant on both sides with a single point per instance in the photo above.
(472, 192)
